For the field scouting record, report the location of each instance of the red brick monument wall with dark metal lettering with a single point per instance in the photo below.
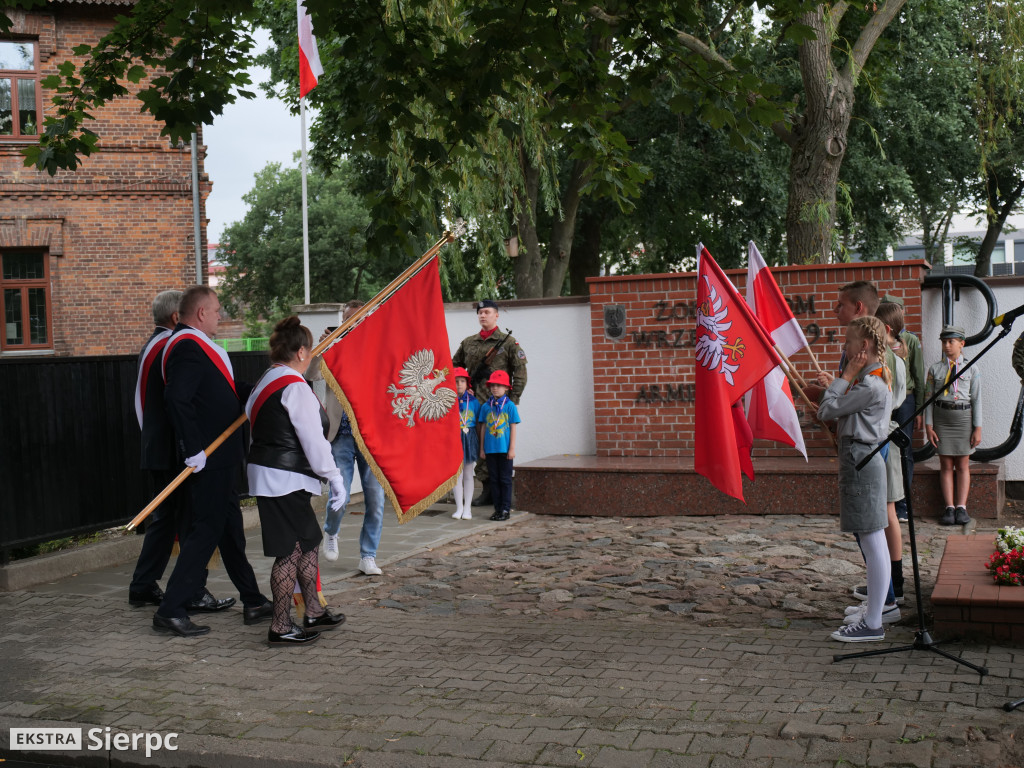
(644, 380)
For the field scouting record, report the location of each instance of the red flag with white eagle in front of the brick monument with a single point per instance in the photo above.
(734, 354)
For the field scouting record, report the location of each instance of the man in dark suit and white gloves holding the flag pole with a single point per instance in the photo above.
(202, 402)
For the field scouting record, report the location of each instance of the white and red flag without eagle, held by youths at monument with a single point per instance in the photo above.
(771, 410)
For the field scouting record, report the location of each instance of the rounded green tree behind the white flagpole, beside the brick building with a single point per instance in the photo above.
(264, 252)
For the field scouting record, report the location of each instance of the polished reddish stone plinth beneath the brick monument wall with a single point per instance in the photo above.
(646, 487)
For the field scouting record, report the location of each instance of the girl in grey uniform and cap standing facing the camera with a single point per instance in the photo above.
(954, 423)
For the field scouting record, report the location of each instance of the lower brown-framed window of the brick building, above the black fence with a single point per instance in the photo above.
(25, 298)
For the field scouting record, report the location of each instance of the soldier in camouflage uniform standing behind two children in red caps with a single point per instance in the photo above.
(509, 357)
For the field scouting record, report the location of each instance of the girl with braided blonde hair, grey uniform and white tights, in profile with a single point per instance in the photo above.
(862, 402)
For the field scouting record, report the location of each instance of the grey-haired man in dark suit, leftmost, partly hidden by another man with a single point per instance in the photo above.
(161, 461)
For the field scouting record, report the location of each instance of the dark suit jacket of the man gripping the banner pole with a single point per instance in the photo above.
(201, 404)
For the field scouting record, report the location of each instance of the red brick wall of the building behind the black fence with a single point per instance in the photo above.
(119, 230)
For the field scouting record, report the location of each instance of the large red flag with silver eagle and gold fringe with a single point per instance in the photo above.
(393, 373)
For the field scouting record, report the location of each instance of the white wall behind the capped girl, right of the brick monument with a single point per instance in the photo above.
(1000, 385)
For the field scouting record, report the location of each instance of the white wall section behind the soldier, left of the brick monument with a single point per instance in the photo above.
(558, 407)
